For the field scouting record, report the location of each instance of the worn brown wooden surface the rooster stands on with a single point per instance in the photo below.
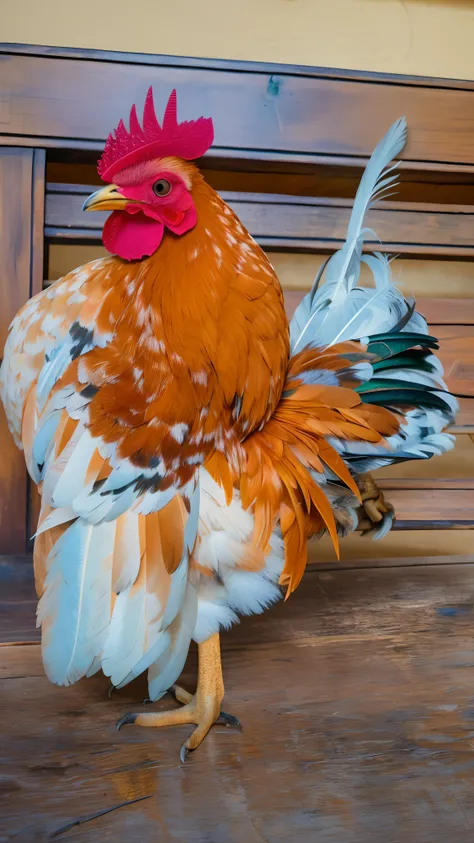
(357, 699)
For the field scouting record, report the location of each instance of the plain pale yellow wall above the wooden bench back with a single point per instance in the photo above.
(426, 37)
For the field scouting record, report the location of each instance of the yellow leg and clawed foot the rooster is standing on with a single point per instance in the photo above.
(202, 709)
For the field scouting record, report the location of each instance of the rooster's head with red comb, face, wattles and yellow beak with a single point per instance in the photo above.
(149, 179)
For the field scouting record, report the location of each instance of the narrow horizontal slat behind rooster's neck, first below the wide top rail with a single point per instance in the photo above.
(290, 223)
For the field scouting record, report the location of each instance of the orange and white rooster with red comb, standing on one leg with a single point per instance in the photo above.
(186, 441)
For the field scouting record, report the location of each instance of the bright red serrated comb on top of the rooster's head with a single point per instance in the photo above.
(187, 140)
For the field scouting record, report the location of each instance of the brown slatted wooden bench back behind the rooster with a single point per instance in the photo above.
(290, 146)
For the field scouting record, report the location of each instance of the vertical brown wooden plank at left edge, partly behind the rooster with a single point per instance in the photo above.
(21, 269)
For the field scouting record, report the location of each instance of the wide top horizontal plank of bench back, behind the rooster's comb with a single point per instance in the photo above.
(69, 99)
